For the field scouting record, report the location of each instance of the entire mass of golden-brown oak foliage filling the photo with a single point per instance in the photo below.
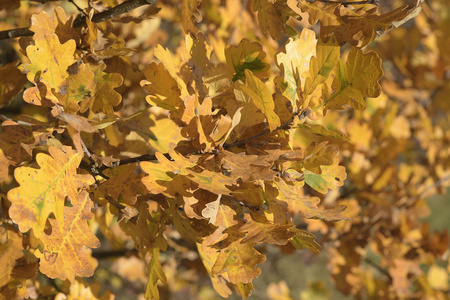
(200, 156)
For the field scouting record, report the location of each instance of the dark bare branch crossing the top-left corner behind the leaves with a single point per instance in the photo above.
(81, 20)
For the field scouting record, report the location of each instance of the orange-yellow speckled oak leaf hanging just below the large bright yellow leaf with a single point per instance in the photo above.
(64, 254)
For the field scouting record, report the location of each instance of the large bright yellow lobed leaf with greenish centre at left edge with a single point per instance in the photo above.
(43, 191)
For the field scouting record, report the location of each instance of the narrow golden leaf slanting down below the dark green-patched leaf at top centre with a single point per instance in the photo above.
(260, 94)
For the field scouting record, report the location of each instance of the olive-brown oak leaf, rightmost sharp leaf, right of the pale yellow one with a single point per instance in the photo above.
(356, 79)
